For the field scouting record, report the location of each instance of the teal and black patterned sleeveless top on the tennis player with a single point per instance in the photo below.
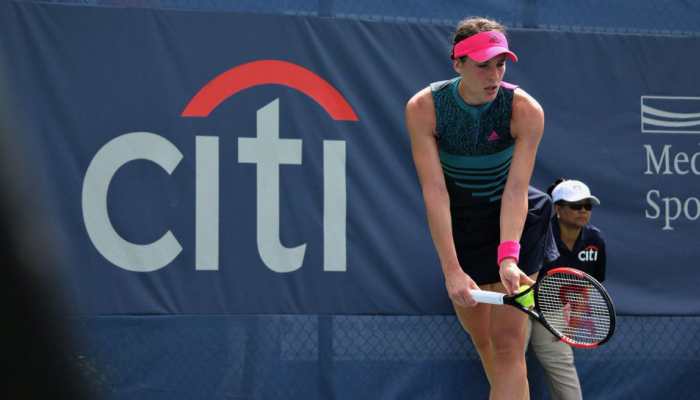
(475, 144)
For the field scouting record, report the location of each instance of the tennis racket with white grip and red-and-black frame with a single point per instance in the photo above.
(571, 304)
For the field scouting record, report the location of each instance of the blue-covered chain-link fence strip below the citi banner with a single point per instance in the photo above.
(312, 357)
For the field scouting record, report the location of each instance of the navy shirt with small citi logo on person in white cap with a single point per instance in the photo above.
(588, 254)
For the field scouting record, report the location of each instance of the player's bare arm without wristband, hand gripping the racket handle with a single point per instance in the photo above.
(420, 121)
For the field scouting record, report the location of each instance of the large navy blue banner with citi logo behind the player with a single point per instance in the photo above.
(207, 163)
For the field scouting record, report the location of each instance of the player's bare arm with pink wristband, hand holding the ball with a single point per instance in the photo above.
(527, 126)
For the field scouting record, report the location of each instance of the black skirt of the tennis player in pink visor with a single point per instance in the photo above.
(477, 234)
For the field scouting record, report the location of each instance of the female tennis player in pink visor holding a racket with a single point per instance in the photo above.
(474, 140)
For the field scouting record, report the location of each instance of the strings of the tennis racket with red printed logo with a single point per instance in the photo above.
(575, 307)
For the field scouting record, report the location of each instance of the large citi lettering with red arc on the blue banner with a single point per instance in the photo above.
(267, 151)
